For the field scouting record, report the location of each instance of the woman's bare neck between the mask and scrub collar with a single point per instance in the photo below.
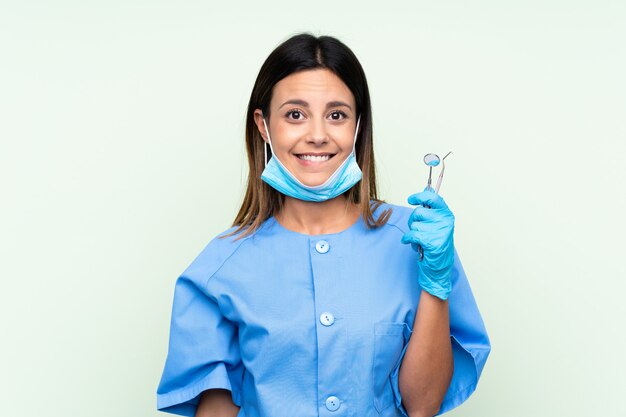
(316, 218)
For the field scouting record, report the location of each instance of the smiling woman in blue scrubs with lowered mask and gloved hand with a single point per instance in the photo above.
(313, 303)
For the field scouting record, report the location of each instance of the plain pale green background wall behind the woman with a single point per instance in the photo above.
(122, 155)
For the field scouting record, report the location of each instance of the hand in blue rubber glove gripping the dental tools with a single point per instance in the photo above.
(432, 227)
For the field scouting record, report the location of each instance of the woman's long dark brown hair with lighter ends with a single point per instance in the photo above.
(298, 53)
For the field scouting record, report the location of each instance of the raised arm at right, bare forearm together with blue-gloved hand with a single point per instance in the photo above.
(427, 369)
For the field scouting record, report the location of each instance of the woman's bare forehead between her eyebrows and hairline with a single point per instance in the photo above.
(317, 85)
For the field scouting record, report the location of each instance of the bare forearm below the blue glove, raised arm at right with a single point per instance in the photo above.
(427, 367)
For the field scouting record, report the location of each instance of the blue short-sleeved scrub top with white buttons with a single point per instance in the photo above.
(309, 325)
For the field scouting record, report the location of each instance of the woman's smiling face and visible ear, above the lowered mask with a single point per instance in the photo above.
(311, 125)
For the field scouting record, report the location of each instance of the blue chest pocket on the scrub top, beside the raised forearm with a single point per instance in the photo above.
(389, 341)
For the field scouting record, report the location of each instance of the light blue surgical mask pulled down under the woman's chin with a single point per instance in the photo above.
(279, 177)
